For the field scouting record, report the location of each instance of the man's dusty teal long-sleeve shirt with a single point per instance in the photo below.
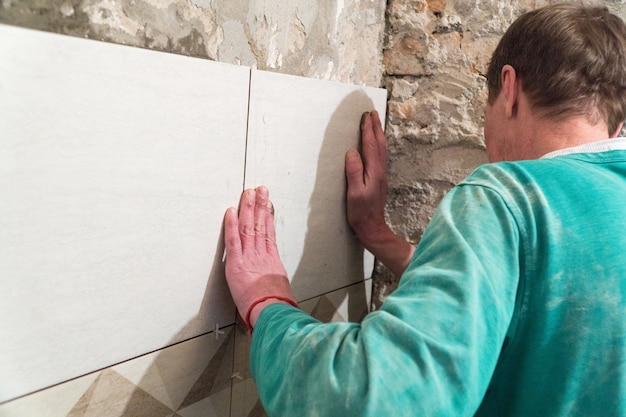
(513, 305)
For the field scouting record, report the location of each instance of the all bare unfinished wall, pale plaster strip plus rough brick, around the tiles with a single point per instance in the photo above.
(431, 55)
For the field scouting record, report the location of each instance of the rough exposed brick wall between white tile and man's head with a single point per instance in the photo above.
(436, 53)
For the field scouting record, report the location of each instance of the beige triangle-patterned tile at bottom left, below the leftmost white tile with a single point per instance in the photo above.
(183, 380)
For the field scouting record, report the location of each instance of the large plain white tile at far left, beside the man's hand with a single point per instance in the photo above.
(116, 166)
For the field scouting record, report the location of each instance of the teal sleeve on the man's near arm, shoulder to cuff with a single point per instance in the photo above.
(432, 347)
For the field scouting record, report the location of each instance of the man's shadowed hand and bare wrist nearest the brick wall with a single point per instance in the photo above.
(366, 174)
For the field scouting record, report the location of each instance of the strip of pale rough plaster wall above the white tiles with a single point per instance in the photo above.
(338, 40)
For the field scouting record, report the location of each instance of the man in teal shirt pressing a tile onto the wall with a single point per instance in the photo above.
(514, 302)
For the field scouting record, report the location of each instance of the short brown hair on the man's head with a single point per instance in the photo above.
(571, 61)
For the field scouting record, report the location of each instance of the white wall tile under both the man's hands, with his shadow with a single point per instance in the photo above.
(299, 131)
